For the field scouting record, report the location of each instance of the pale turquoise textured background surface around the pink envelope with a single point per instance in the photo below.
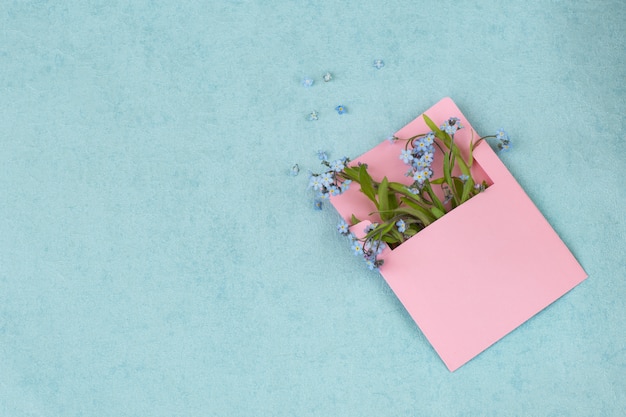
(157, 259)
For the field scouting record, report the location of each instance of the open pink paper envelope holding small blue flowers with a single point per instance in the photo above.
(483, 269)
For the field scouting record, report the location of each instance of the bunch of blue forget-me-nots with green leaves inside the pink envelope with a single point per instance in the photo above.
(404, 210)
